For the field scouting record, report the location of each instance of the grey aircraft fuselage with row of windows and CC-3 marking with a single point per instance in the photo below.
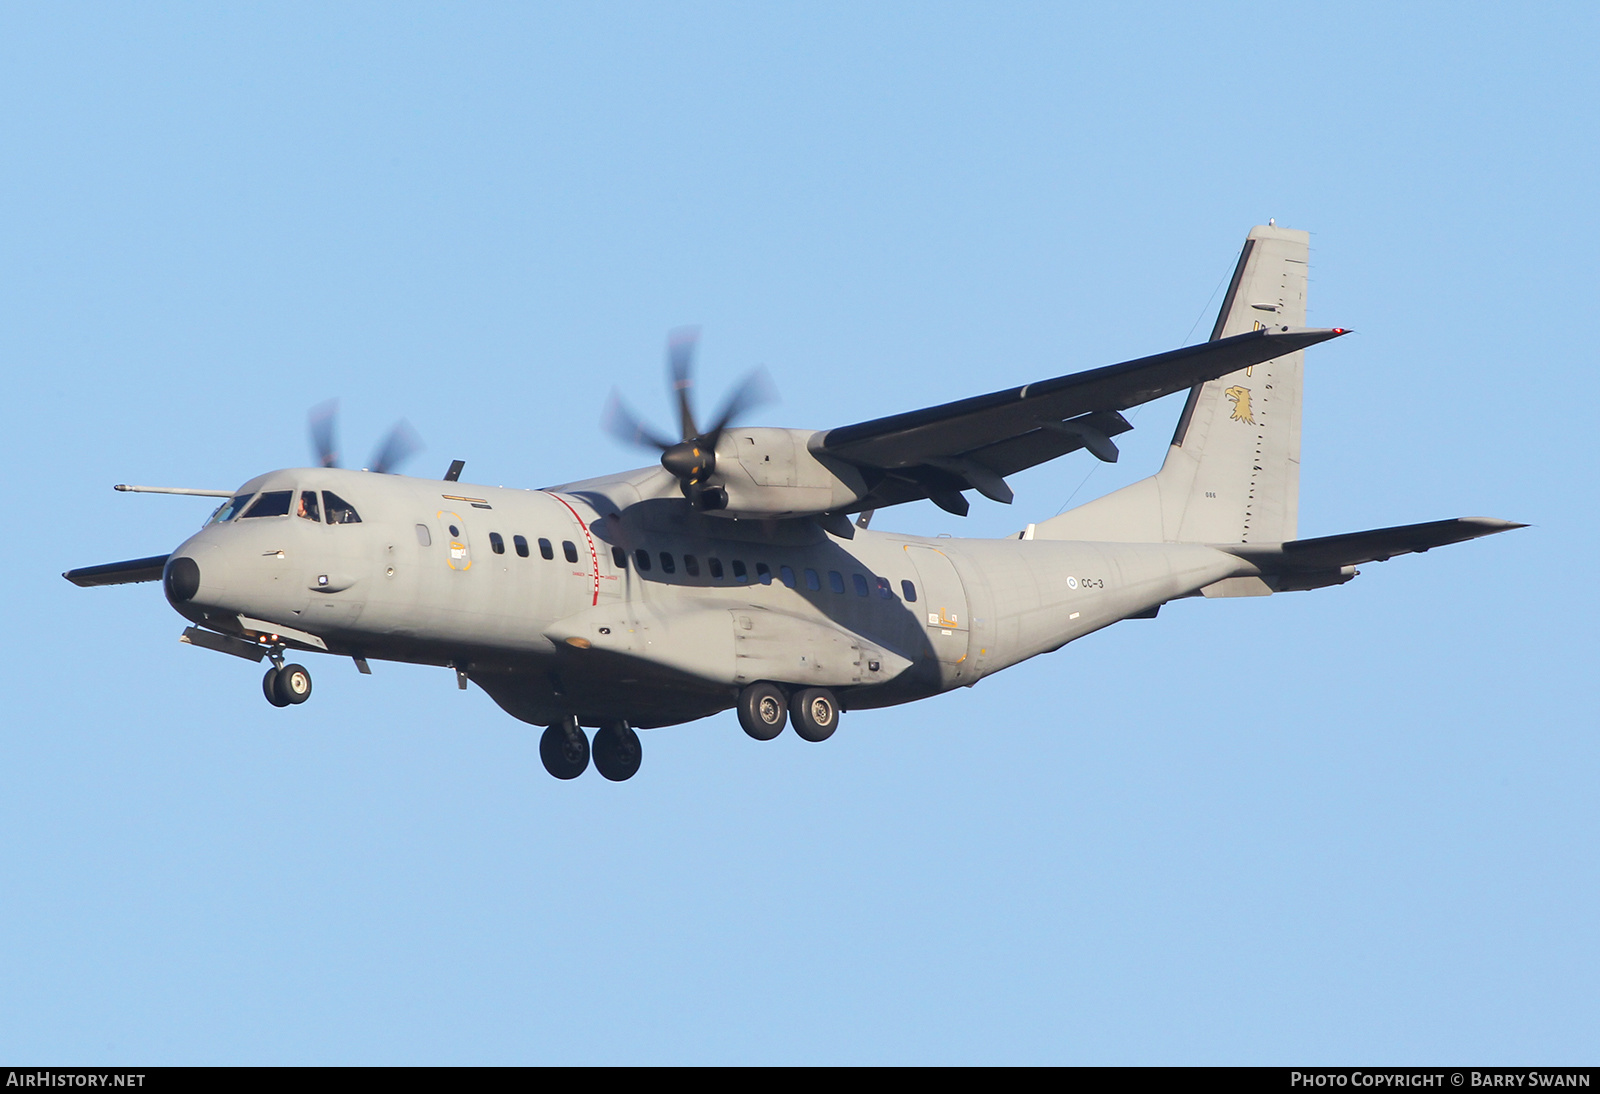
(647, 610)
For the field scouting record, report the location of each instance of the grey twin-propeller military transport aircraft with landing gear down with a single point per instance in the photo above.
(732, 575)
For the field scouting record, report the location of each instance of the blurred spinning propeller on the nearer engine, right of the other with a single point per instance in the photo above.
(694, 460)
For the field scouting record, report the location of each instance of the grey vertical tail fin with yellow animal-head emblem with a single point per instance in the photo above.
(1233, 471)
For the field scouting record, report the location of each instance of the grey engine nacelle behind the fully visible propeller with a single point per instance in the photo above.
(774, 473)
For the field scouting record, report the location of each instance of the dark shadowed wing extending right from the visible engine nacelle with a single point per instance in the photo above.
(975, 442)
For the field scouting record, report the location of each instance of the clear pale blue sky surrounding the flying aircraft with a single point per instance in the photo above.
(1348, 826)
